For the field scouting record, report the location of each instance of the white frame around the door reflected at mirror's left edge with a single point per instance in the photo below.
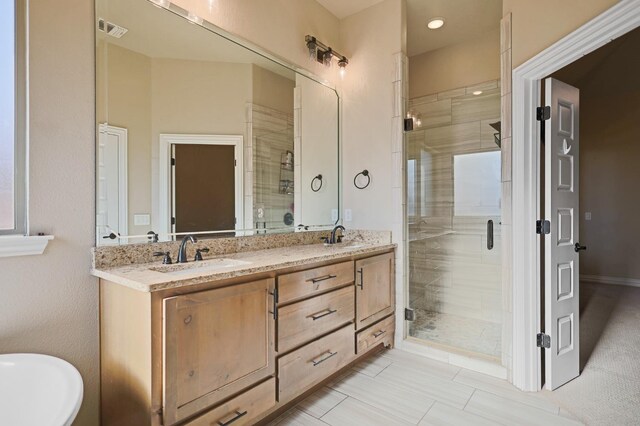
(123, 182)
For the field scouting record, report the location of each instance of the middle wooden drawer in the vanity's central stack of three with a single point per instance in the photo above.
(302, 321)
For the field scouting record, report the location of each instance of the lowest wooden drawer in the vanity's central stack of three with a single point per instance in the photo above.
(314, 362)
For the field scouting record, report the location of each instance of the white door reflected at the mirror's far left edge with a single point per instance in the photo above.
(111, 200)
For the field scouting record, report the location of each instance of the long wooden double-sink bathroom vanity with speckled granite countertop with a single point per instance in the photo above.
(238, 336)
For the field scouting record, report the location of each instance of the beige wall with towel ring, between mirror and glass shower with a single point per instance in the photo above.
(370, 39)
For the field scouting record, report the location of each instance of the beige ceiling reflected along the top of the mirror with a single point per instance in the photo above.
(158, 33)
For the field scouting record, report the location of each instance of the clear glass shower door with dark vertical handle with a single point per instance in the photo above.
(454, 249)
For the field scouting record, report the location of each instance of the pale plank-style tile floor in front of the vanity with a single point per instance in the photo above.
(398, 388)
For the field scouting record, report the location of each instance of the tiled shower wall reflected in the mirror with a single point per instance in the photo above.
(272, 133)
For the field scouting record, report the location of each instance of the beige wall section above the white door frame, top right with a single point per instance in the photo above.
(539, 24)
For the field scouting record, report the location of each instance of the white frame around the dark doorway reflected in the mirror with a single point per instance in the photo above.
(165, 174)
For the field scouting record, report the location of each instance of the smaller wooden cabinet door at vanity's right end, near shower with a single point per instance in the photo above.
(374, 289)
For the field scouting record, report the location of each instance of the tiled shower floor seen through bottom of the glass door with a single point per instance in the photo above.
(469, 334)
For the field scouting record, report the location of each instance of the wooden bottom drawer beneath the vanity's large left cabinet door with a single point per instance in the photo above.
(242, 409)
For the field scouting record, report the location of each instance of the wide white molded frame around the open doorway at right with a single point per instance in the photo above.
(526, 276)
